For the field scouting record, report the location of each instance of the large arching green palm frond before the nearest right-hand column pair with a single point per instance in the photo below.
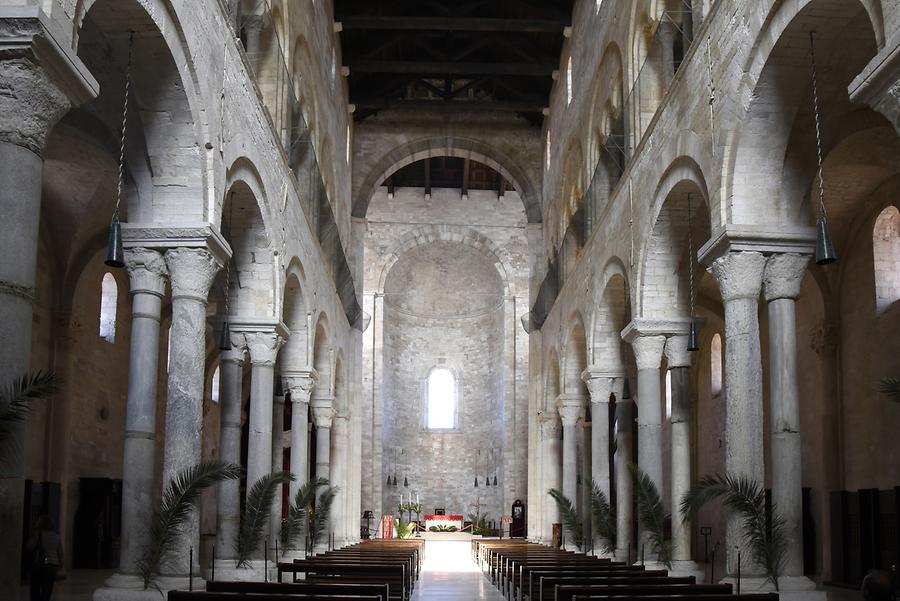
(764, 529)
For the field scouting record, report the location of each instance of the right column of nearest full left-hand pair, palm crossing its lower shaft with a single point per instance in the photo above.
(192, 271)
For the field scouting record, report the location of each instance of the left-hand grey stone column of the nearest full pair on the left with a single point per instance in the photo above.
(147, 274)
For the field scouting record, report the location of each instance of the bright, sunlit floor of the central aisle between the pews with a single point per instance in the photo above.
(449, 573)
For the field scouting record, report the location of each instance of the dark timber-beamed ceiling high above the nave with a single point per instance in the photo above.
(468, 55)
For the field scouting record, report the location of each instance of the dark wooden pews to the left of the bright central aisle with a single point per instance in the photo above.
(376, 570)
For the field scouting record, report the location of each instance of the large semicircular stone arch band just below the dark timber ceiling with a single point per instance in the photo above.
(453, 146)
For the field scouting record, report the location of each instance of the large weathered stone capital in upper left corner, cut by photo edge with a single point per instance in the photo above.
(42, 78)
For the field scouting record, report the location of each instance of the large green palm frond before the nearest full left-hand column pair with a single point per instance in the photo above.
(180, 497)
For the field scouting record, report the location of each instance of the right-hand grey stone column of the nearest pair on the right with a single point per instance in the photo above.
(783, 277)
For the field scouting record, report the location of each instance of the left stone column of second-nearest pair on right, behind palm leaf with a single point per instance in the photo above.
(648, 354)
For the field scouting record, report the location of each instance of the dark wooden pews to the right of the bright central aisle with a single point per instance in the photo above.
(526, 571)
